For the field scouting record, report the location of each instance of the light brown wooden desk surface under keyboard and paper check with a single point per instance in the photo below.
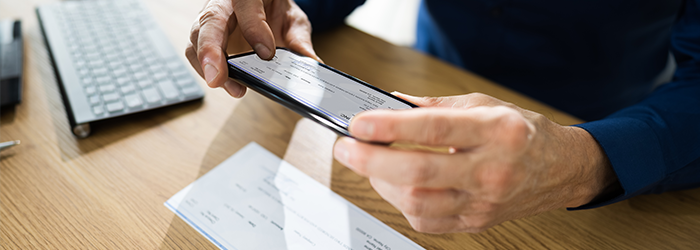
(107, 191)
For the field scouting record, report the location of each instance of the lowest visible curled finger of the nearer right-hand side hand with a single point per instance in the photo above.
(421, 202)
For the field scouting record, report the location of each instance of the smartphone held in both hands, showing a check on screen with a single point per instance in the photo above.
(312, 89)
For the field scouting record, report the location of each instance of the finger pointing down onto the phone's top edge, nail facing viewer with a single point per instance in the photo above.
(253, 24)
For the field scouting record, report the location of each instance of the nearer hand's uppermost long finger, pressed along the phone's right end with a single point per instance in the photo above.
(463, 128)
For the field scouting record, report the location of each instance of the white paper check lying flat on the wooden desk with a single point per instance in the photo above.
(254, 200)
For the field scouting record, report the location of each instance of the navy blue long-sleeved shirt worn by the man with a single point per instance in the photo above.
(600, 60)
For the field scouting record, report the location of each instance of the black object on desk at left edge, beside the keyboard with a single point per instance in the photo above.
(11, 52)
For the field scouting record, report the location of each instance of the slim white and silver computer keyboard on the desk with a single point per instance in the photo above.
(112, 59)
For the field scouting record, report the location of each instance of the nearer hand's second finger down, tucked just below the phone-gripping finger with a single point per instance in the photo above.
(401, 167)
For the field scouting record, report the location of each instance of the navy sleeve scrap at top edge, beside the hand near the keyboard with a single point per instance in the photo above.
(326, 14)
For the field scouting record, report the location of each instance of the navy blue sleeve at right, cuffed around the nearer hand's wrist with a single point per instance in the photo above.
(654, 146)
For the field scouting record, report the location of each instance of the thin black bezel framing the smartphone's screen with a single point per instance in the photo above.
(290, 102)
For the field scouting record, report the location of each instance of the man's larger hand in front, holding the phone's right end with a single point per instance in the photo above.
(504, 162)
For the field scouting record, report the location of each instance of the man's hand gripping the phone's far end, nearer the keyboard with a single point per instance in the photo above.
(264, 24)
